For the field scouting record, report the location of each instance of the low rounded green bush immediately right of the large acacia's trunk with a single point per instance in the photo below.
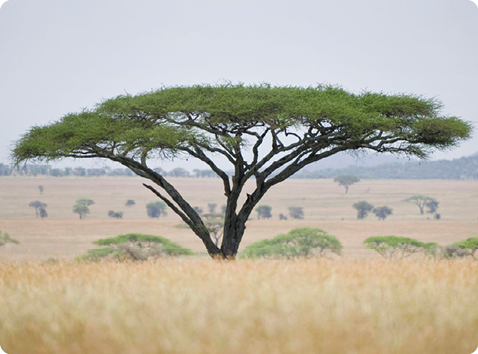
(300, 242)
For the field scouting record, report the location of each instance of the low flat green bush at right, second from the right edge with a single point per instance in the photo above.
(395, 247)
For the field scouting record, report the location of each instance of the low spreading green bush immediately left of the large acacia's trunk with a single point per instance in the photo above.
(137, 247)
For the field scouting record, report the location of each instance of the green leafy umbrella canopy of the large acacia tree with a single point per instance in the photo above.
(121, 119)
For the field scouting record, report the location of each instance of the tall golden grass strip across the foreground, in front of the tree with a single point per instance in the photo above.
(201, 306)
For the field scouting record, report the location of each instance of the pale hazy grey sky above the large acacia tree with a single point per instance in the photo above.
(59, 56)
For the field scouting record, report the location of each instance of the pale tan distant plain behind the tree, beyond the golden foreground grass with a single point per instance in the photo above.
(62, 235)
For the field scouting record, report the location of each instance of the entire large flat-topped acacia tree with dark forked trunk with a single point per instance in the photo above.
(267, 133)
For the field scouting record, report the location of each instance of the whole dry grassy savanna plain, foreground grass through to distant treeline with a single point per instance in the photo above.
(358, 303)
